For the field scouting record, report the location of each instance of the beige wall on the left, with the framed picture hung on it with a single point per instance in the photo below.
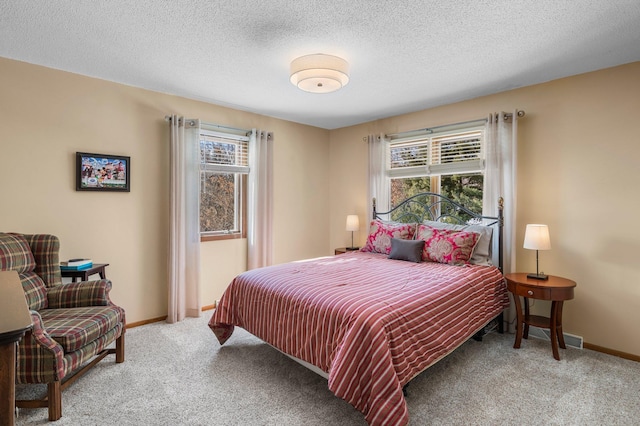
(48, 115)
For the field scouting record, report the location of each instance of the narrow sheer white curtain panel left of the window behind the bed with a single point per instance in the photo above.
(378, 179)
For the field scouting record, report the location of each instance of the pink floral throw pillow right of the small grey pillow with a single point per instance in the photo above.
(447, 245)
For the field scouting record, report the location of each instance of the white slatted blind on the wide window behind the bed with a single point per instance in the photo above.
(437, 154)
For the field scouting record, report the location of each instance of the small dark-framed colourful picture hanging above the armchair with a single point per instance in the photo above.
(102, 172)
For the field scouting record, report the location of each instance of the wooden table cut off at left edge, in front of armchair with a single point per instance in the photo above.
(15, 320)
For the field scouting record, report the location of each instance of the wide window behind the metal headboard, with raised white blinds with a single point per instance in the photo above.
(448, 162)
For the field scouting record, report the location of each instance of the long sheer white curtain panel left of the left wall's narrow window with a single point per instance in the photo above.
(184, 232)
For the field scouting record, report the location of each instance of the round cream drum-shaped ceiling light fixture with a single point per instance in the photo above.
(319, 73)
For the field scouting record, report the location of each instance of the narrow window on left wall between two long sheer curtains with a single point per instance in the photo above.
(223, 185)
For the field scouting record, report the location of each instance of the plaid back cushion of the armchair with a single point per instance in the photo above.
(16, 255)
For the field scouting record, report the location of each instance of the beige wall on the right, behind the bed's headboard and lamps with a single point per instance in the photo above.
(578, 172)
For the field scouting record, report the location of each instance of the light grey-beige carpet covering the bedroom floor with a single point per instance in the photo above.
(178, 374)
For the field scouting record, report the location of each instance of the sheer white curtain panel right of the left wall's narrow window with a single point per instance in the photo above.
(260, 204)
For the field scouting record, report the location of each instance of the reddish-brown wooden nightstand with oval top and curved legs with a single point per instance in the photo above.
(555, 289)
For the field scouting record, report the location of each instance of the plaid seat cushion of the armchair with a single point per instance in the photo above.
(74, 328)
